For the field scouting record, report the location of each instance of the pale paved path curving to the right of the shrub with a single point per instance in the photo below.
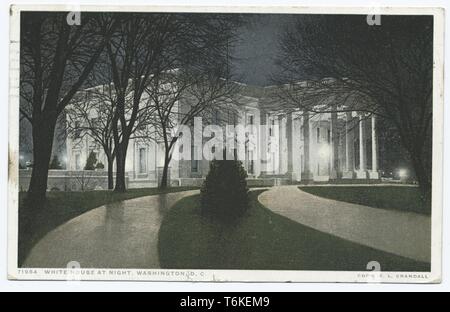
(401, 233)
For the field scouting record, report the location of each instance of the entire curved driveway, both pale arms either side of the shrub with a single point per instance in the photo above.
(125, 234)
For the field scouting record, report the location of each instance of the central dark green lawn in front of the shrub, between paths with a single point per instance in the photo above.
(261, 240)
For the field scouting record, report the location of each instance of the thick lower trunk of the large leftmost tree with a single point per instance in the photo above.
(43, 133)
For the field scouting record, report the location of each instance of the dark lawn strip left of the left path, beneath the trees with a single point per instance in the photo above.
(64, 206)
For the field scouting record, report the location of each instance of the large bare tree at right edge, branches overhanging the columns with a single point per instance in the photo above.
(384, 70)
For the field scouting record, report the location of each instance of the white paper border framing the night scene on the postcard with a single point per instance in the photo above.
(99, 274)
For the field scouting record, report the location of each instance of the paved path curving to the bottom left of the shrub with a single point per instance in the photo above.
(119, 235)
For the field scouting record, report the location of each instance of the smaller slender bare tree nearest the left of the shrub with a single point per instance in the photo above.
(179, 97)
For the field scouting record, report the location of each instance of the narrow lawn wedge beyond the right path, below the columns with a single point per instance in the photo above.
(402, 198)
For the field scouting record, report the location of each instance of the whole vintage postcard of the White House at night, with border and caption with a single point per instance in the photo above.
(221, 144)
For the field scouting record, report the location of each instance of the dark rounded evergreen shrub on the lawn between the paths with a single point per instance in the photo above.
(224, 195)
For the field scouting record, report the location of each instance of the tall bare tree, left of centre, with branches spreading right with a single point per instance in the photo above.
(143, 48)
